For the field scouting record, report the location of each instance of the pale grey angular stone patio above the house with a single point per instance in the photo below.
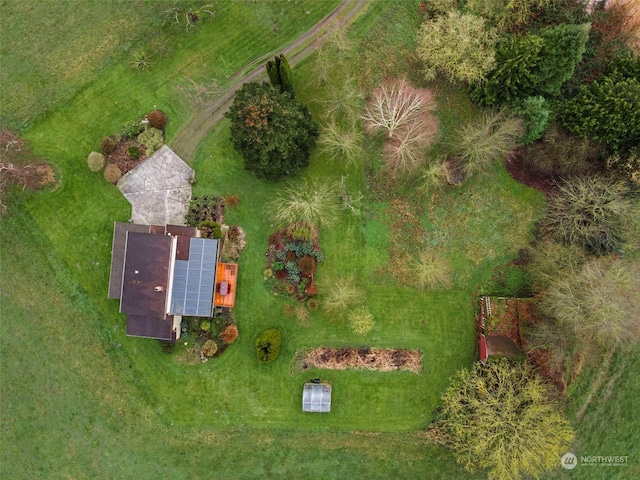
(159, 189)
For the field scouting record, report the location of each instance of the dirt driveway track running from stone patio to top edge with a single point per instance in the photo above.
(186, 141)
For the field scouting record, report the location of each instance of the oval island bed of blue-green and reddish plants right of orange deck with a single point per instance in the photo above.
(292, 259)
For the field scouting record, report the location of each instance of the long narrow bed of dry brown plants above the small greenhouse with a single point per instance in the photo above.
(381, 360)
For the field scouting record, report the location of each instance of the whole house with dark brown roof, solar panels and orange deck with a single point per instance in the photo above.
(162, 273)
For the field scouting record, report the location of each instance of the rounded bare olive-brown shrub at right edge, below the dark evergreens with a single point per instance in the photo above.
(591, 212)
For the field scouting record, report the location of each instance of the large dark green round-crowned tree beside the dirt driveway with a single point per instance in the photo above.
(271, 130)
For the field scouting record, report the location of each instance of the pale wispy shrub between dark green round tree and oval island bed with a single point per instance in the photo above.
(306, 203)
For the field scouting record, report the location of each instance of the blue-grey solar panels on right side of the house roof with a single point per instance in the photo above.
(193, 280)
